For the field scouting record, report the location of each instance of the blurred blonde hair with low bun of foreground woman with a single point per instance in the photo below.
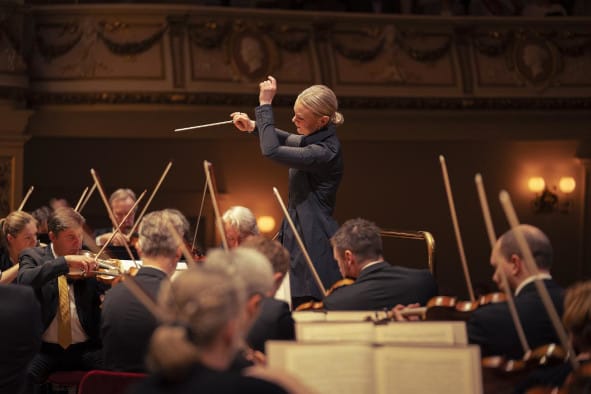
(202, 302)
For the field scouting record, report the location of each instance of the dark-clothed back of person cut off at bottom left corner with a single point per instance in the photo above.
(20, 335)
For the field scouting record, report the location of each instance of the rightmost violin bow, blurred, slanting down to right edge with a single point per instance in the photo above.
(541, 287)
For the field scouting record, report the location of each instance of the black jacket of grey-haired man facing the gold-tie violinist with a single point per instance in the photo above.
(127, 325)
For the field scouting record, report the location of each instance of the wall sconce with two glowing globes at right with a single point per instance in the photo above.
(547, 201)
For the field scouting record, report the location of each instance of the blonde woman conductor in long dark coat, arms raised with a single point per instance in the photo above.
(315, 162)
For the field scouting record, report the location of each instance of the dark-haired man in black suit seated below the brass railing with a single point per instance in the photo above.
(357, 247)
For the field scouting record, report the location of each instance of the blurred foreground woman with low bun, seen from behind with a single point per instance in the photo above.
(193, 354)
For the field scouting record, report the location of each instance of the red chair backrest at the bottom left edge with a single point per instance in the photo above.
(97, 382)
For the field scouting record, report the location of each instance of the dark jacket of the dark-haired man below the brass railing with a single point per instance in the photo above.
(383, 286)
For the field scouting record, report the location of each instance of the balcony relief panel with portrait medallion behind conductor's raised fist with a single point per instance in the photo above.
(249, 51)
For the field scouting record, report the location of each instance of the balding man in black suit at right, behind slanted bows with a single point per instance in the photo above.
(491, 326)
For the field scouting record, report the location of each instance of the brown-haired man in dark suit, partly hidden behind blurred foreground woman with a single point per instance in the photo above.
(274, 320)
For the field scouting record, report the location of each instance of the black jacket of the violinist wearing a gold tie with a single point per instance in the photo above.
(39, 269)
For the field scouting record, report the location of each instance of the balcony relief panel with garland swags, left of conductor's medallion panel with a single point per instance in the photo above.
(88, 49)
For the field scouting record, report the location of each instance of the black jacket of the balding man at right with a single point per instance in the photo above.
(492, 328)
